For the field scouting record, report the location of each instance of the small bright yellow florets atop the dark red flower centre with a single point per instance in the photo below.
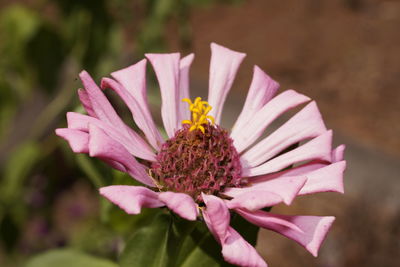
(199, 110)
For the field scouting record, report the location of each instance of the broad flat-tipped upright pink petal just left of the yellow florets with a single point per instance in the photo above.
(166, 67)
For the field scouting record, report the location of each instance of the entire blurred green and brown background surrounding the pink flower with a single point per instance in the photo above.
(342, 53)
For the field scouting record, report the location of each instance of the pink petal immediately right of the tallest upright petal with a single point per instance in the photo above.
(262, 89)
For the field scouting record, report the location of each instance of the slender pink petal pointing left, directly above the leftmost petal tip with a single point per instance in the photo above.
(134, 144)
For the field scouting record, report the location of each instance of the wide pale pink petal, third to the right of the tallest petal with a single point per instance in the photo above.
(304, 125)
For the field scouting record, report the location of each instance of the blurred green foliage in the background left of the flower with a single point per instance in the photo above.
(43, 46)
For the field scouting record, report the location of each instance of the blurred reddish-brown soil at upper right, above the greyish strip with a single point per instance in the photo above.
(343, 53)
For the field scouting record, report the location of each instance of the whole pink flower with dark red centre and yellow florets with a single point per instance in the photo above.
(202, 170)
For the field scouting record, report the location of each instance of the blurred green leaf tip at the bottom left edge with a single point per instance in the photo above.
(67, 258)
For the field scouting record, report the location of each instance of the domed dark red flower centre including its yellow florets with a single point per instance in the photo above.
(199, 158)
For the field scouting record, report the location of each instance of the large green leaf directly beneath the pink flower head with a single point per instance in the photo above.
(171, 241)
